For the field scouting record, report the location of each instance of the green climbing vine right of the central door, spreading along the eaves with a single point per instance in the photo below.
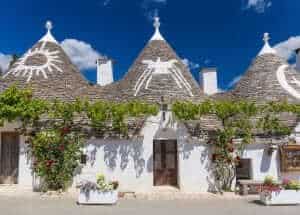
(239, 120)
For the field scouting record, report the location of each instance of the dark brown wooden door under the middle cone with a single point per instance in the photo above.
(165, 163)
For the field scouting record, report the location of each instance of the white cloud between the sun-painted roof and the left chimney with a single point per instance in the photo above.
(82, 54)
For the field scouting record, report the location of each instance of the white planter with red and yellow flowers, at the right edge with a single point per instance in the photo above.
(285, 194)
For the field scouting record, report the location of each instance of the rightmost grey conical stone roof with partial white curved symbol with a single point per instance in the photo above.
(269, 78)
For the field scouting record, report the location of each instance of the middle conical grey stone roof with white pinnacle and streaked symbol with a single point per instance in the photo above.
(157, 72)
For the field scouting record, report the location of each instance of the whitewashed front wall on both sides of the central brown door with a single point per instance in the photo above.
(131, 161)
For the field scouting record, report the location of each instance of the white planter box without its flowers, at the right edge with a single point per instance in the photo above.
(283, 197)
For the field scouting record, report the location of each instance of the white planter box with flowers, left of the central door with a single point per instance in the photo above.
(101, 192)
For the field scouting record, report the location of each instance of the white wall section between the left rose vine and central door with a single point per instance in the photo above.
(128, 161)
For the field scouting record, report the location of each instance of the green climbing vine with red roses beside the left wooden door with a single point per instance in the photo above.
(55, 130)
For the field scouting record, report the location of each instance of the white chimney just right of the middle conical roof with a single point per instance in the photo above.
(209, 81)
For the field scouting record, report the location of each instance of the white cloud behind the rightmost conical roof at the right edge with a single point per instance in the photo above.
(286, 49)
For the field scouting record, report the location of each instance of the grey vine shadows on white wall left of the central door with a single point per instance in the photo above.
(121, 153)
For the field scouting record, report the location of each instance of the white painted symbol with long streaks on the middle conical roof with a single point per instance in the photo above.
(159, 67)
